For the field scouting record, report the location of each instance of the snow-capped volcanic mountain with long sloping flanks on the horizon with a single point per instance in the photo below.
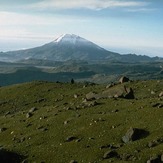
(70, 47)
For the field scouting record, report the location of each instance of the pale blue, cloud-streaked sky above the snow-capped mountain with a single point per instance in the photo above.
(123, 26)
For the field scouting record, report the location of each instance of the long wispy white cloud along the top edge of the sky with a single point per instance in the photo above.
(90, 4)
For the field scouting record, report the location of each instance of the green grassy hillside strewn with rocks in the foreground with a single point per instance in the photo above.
(53, 122)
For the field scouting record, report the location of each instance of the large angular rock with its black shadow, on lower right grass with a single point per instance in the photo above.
(133, 134)
